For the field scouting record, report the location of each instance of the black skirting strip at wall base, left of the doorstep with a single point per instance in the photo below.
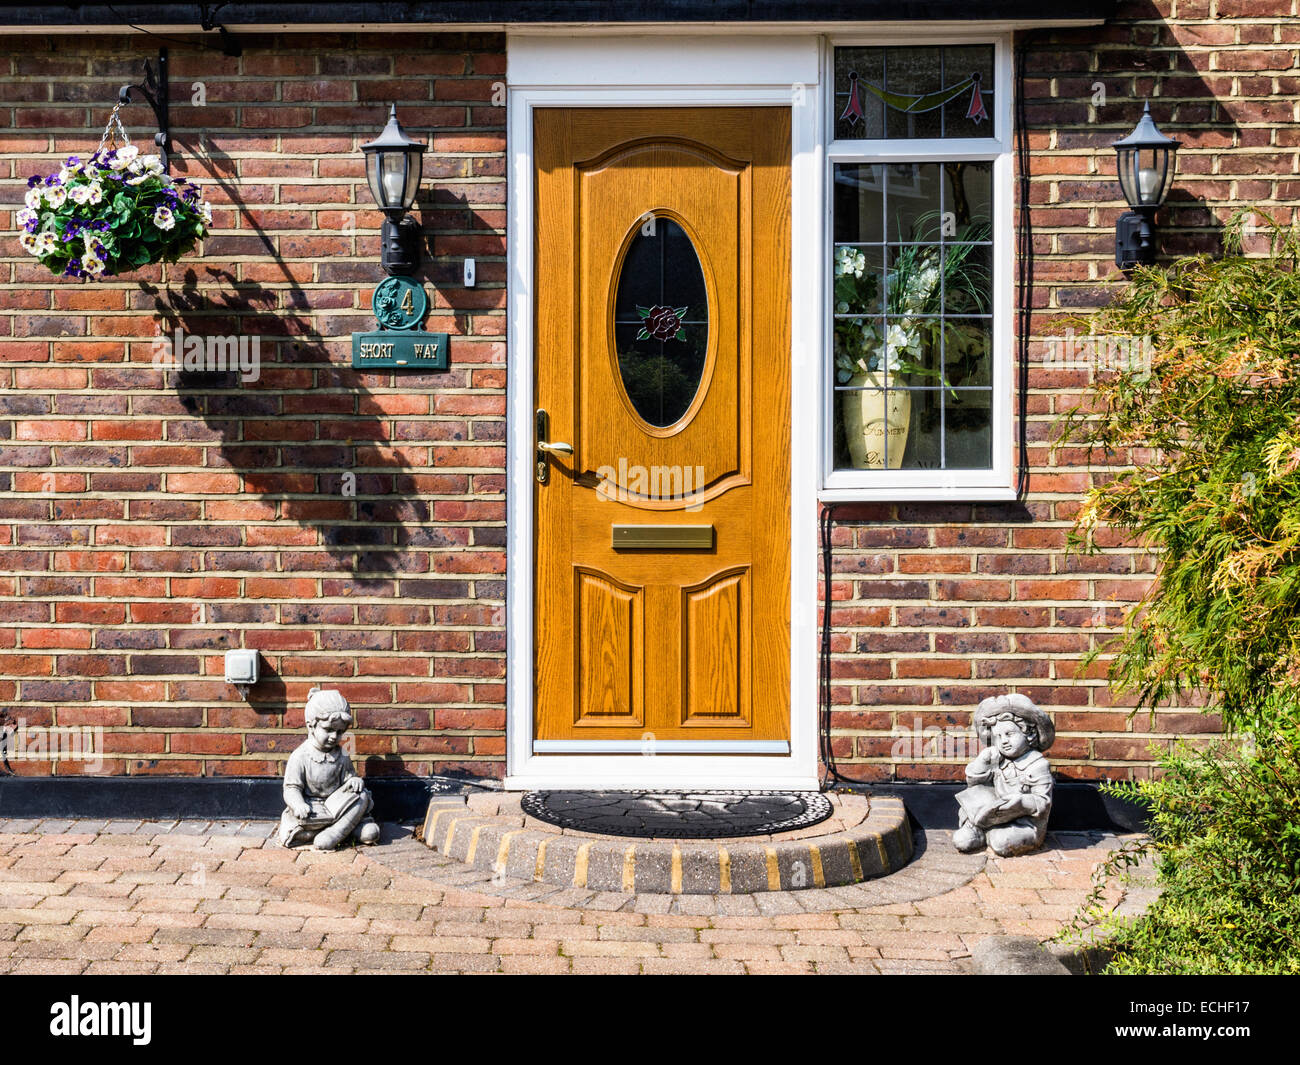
(210, 799)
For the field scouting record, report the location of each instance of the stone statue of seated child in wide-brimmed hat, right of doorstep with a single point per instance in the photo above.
(1008, 799)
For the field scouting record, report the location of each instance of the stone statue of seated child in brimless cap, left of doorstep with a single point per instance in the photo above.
(326, 802)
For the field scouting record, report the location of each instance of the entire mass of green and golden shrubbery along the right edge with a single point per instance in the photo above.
(1206, 439)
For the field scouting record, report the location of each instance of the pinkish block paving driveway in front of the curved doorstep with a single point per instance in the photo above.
(223, 898)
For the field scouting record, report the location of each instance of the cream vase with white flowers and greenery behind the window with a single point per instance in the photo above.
(878, 360)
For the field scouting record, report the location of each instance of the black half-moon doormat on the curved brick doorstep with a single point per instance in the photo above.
(700, 816)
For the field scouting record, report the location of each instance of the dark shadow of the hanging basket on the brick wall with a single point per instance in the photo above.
(336, 475)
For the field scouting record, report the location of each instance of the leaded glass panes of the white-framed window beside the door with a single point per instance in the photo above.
(913, 263)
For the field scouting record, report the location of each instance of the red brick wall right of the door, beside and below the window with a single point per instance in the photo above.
(939, 607)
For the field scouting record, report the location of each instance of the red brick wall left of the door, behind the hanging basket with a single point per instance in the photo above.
(153, 523)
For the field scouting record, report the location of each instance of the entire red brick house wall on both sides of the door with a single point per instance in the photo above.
(150, 525)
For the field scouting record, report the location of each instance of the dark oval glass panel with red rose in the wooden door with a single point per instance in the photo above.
(661, 322)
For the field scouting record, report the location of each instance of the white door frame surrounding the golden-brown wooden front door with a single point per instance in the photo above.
(703, 71)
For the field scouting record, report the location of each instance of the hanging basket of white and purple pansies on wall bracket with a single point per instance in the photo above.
(112, 214)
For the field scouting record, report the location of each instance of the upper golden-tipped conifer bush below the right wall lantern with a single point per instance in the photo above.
(1212, 430)
